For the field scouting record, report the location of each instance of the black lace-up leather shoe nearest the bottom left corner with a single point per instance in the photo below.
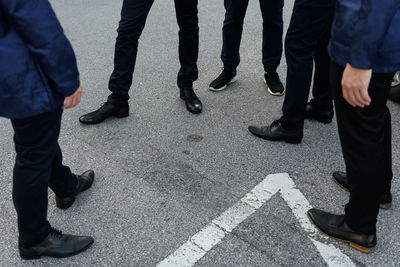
(57, 245)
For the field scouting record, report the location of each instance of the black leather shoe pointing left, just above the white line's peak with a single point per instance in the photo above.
(275, 132)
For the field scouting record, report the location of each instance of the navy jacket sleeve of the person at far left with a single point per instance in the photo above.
(38, 26)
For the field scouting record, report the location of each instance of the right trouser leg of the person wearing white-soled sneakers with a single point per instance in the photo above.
(272, 33)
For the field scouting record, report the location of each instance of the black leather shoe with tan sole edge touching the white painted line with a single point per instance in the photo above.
(335, 226)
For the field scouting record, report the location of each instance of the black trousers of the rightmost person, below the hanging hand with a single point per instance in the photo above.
(365, 136)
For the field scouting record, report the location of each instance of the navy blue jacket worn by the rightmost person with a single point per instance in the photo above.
(366, 34)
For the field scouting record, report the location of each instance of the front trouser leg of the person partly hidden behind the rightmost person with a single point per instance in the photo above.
(308, 25)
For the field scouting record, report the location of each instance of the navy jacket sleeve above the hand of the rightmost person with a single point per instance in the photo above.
(374, 20)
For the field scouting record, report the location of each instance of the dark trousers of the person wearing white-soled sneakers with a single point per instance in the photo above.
(271, 11)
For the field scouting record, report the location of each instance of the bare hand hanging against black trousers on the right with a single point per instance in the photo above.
(355, 83)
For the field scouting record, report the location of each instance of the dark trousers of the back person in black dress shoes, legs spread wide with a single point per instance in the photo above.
(133, 18)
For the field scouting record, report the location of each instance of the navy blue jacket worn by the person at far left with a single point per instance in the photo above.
(37, 63)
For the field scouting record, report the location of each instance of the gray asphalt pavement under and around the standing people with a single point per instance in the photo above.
(163, 173)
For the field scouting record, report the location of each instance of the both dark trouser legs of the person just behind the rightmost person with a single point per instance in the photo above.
(306, 42)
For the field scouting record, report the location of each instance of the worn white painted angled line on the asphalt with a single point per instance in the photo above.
(202, 242)
